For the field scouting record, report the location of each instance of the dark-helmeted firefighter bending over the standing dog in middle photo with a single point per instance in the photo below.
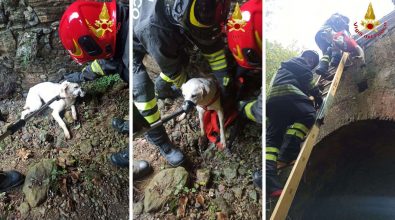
(162, 29)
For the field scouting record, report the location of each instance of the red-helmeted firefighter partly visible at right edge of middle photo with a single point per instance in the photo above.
(244, 31)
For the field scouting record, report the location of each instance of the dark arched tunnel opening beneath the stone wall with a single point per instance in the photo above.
(350, 175)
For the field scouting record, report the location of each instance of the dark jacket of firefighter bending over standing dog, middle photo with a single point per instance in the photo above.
(161, 29)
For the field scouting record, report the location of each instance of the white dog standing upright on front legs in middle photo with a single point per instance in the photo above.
(205, 93)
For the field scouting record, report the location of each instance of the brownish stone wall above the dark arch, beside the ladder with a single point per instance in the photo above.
(366, 93)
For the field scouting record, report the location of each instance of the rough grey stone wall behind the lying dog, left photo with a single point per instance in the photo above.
(30, 50)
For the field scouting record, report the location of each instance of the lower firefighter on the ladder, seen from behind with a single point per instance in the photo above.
(290, 114)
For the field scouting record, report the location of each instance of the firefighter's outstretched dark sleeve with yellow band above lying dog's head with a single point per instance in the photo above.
(95, 69)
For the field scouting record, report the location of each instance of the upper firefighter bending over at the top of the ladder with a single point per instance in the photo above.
(336, 23)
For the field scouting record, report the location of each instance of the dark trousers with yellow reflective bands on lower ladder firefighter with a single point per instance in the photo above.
(289, 120)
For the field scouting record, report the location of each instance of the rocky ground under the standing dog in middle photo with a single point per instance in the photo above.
(211, 185)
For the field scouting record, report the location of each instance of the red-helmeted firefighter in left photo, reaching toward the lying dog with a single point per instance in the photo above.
(98, 32)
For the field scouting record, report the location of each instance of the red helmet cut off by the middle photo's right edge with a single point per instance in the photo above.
(244, 30)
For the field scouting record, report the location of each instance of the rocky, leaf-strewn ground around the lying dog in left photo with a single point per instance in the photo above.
(68, 179)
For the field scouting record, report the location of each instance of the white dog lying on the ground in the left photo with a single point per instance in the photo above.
(46, 91)
